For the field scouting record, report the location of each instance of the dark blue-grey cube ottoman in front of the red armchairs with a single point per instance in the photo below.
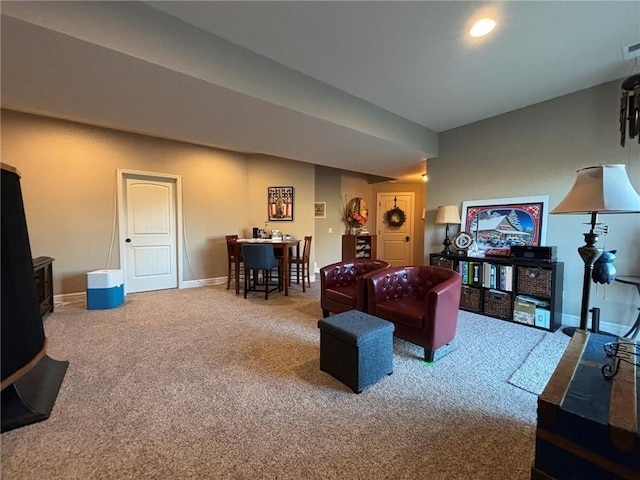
(356, 348)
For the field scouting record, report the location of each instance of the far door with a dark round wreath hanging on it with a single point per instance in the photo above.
(395, 244)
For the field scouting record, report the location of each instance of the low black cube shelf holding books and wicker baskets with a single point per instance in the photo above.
(521, 291)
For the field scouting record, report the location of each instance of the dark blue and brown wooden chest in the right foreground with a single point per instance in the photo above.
(588, 424)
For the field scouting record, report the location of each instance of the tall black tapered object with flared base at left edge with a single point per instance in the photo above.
(31, 380)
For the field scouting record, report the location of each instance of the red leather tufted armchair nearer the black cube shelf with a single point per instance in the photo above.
(422, 301)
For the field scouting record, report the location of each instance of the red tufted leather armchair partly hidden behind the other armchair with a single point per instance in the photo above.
(342, 287)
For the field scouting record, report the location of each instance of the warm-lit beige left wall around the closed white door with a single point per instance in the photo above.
(69, 191)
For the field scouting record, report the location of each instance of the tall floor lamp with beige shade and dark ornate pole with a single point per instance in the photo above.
(599, 189)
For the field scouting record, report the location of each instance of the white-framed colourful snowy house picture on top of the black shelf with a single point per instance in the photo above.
(497, 224)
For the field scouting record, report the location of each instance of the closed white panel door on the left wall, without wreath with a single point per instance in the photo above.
(149, 232)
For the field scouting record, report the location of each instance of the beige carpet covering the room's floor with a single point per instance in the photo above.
(201, 383)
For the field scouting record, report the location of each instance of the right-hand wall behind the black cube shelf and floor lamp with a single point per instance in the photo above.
(536, 151)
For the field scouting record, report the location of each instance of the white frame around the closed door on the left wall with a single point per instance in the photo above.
(122, 175)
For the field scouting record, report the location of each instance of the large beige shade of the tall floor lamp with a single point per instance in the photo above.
(601, 189)
